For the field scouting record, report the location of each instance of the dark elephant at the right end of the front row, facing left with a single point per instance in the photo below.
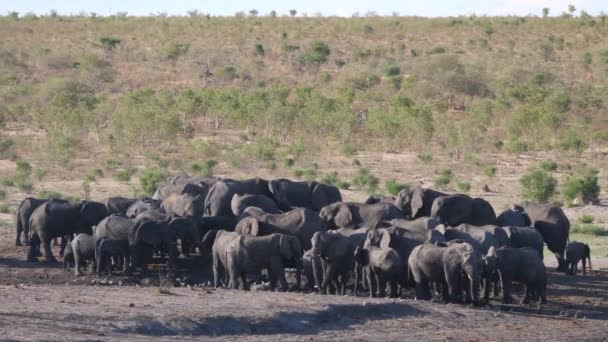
(525, 266)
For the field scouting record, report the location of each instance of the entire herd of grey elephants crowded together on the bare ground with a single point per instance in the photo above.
(448, 245)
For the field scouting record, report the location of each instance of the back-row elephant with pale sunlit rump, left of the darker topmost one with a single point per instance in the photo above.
(219, 198)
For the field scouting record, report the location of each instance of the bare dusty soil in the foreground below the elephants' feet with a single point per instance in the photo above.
(43, 302)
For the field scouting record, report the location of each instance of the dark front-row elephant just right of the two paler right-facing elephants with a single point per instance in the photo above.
(336, 252)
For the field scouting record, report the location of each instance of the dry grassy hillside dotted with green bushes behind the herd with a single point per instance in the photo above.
(122, 90)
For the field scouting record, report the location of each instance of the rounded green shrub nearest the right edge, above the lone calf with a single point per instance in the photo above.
(582, 186)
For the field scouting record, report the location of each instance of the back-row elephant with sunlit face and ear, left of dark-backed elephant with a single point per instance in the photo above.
(416, 201)
